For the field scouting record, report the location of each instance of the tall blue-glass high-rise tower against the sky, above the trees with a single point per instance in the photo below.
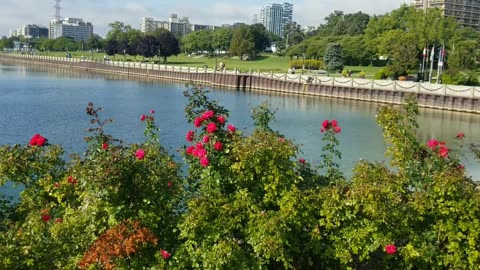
(276, 16)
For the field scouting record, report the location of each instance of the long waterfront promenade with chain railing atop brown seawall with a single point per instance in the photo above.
(437, 96)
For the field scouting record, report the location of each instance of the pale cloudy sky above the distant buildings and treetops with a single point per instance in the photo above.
(14, 13)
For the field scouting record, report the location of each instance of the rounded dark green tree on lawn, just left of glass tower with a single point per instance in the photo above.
(243, 42)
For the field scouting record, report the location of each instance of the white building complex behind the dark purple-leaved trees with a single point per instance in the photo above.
(178, 26)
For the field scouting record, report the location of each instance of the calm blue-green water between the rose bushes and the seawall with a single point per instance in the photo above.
(52, 102)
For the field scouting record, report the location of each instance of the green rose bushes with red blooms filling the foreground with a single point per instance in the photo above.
(243, 201)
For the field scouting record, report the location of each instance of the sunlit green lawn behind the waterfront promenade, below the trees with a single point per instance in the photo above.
(264, 63)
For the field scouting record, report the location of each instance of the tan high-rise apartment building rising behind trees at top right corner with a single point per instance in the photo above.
(466, 12)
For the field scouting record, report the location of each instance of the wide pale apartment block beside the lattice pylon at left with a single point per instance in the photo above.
(70, 27)
